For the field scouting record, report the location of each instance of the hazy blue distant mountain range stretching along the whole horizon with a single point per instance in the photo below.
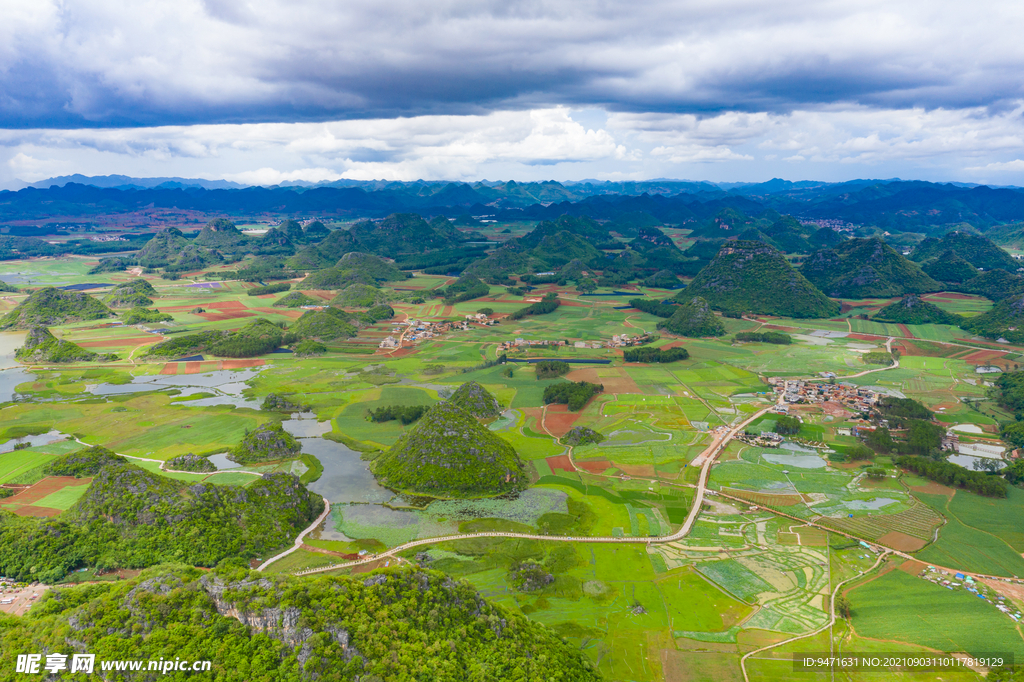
(889, 205)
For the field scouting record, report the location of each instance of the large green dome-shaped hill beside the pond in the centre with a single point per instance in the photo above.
(449, 454)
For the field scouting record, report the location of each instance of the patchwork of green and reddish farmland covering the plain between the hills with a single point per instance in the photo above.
(744, 578)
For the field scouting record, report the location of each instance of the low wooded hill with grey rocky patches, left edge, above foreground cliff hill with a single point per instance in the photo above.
(130, 518)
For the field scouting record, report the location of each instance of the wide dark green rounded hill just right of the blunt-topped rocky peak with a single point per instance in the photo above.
(862, 269)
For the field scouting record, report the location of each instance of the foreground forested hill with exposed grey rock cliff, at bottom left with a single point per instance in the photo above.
(260, 628)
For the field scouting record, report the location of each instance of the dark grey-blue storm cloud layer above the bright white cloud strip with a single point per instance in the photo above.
(98, 63)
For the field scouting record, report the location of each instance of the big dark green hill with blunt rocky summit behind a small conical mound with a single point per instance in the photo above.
(751, 277)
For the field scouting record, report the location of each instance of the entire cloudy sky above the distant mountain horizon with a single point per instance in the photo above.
(720, 91)
